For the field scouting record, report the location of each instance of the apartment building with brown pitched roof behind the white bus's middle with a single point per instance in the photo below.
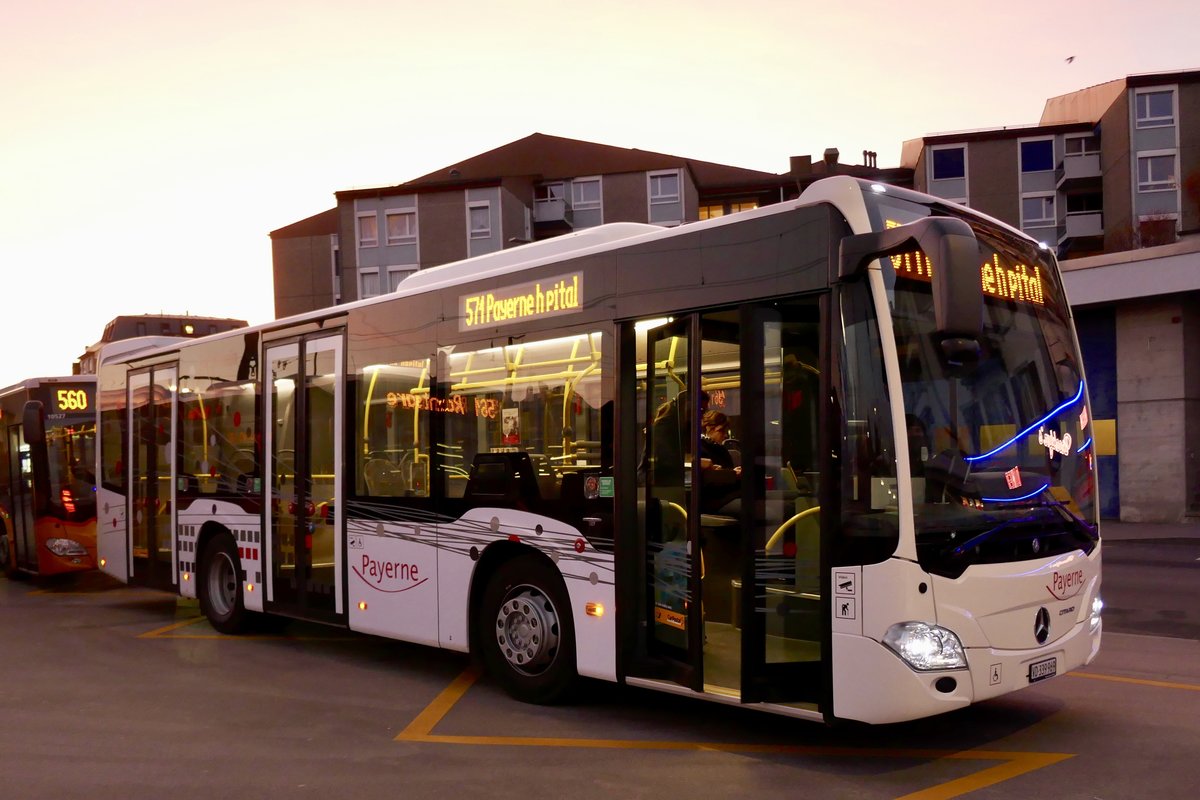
(529, 190)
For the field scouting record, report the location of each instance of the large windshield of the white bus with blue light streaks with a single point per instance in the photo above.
(1000, 450)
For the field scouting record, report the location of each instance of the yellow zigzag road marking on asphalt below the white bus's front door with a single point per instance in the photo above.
(421, 730)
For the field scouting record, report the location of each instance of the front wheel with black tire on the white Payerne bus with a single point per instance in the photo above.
(526, 631)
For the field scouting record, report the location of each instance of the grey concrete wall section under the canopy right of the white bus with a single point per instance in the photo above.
(1153, 408)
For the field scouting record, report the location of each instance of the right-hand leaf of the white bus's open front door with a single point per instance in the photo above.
(784, 419)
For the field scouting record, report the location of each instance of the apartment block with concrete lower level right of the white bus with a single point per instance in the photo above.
(1111, 179)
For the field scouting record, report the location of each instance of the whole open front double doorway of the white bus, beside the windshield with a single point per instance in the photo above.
(730, 585)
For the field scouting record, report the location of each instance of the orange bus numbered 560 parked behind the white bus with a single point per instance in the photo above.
(47, 484)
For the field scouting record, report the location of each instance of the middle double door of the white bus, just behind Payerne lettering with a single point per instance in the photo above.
(304, 465)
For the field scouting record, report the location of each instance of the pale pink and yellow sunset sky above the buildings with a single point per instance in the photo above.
(149, 147)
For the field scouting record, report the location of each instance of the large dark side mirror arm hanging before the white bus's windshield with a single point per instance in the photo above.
(952, 248)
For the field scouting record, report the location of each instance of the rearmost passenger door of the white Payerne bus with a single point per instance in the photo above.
(152, 404)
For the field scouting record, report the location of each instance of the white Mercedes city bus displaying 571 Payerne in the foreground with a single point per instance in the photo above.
(506, 458)
